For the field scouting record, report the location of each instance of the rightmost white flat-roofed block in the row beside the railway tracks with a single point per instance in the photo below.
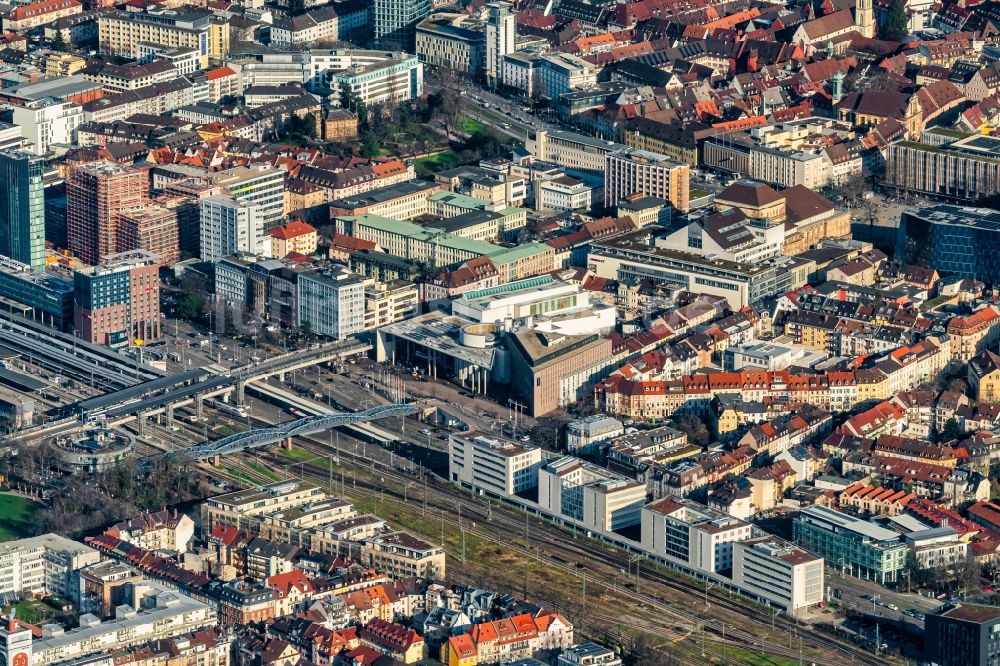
(779, 573)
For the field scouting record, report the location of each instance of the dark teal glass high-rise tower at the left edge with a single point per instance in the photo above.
(22, 208)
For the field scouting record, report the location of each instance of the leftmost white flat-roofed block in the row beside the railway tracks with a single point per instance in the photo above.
(493, 464)
